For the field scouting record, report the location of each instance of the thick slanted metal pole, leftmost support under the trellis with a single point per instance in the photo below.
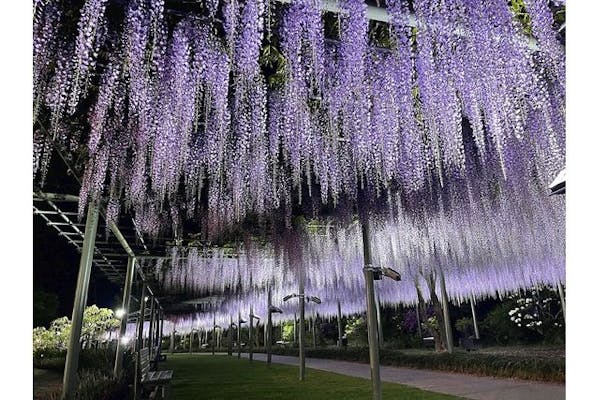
(83, 282)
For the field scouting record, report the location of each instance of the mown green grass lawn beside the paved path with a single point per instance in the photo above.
(222, 377)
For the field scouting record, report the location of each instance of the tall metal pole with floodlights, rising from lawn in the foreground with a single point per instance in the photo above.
(371, 314)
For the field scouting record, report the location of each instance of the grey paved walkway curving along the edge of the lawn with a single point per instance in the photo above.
(467, 386)
